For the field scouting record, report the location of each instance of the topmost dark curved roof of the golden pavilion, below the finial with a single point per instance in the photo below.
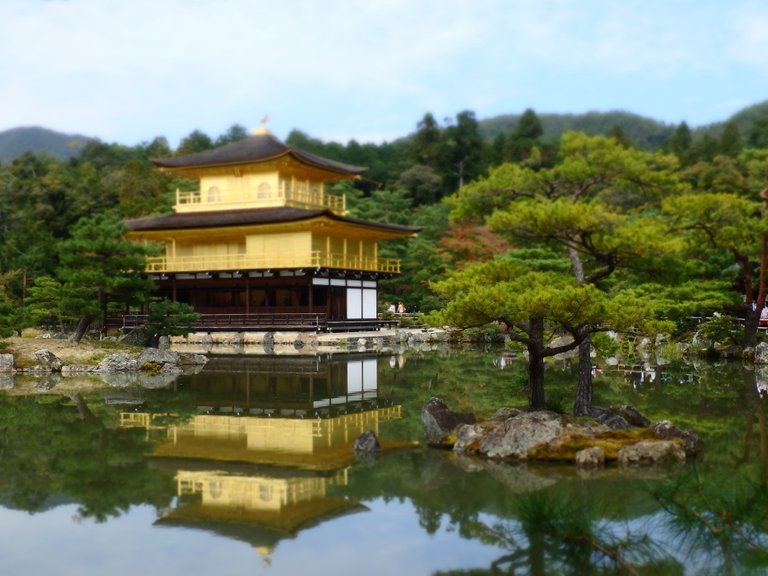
(256, 148)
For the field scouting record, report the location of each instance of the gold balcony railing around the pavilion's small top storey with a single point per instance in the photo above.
(288, 193)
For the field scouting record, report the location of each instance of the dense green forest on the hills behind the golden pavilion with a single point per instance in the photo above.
(47, 200)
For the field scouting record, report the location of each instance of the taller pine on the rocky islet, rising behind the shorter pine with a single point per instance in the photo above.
(562, 205)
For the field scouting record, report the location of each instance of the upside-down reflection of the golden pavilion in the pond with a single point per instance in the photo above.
(271, 436)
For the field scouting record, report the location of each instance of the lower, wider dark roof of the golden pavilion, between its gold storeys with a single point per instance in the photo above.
(249, 217)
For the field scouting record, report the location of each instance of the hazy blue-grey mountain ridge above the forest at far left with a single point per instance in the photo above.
(18, 141)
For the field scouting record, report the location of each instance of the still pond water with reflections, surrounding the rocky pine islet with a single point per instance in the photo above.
(247, 468)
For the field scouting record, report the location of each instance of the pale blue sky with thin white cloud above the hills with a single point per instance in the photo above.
(127, 71)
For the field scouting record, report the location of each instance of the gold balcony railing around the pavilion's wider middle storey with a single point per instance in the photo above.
(316, 259)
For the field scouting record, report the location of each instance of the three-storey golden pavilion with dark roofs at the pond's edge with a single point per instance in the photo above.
(262, 242)
